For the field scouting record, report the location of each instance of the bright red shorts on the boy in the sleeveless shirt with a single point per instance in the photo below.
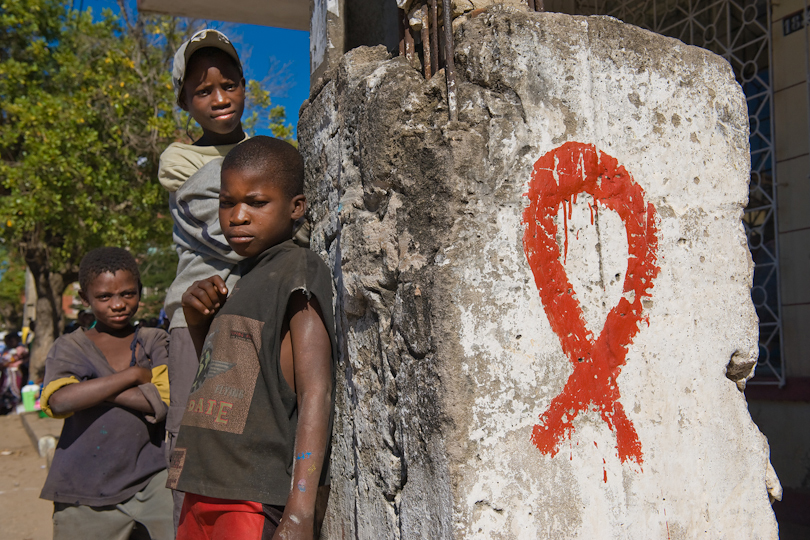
(207, 518)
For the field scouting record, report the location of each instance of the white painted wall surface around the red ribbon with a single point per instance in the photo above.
(676, 119)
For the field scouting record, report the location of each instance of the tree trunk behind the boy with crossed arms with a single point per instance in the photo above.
(49, 324)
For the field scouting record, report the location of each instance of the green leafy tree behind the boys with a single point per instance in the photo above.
(86, 108)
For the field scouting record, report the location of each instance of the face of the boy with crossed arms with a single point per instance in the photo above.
(113, 298)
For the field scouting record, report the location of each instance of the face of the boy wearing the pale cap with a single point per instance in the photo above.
(214, 94)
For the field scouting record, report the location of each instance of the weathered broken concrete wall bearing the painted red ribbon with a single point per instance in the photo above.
(544, 309)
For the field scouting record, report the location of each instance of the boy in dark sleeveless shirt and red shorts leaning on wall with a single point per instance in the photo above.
(254, 443)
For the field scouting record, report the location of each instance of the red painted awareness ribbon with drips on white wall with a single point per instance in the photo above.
(558, 177)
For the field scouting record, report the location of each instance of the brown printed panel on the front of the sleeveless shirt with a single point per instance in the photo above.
(229, 366)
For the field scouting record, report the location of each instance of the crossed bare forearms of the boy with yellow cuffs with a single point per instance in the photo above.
(76, 397)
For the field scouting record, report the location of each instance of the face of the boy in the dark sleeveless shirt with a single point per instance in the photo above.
(256, 214)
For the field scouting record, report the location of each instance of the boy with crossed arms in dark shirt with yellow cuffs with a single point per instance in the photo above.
(110, 384)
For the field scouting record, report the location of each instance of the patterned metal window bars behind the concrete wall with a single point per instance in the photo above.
(740, 32)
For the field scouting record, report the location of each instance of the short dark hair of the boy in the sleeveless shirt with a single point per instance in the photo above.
(274, 159)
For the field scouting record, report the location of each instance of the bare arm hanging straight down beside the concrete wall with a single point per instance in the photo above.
(312, 358)
